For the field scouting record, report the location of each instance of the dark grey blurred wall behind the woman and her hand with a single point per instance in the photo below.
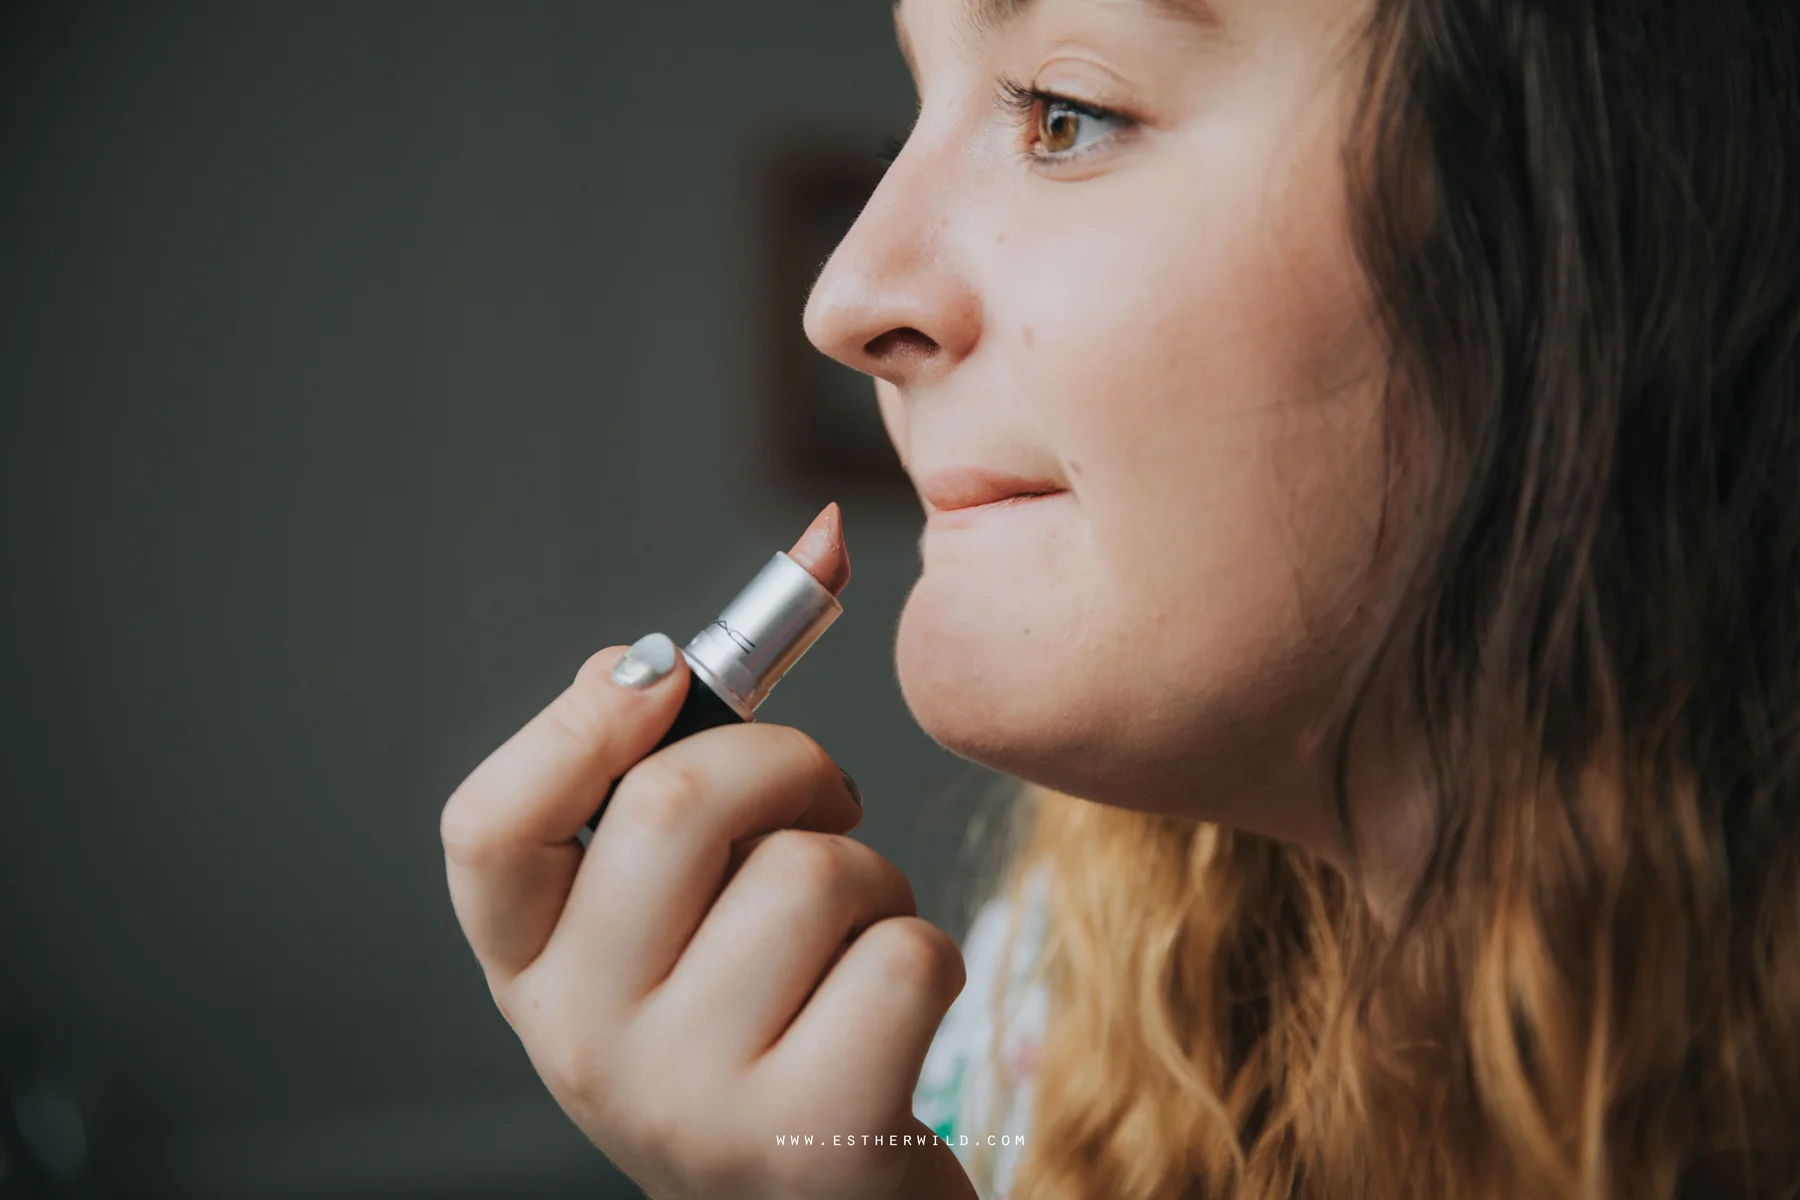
(366, 368)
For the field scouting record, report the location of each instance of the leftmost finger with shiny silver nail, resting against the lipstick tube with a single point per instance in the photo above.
(510, 828)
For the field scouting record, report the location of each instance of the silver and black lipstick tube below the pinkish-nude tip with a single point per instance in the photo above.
(742, 656)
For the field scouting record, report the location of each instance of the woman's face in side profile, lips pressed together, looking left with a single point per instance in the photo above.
(1113, 260)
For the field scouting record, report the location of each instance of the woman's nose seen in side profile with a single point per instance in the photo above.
(895, 300)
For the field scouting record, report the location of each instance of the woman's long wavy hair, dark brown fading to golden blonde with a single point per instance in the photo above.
(1581, 224)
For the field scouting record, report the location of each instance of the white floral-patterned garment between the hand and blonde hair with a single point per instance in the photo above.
(958, 1091)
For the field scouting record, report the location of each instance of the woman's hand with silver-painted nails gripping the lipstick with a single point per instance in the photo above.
(719, 967)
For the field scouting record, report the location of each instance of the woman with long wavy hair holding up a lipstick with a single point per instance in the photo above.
(1396, 614)
